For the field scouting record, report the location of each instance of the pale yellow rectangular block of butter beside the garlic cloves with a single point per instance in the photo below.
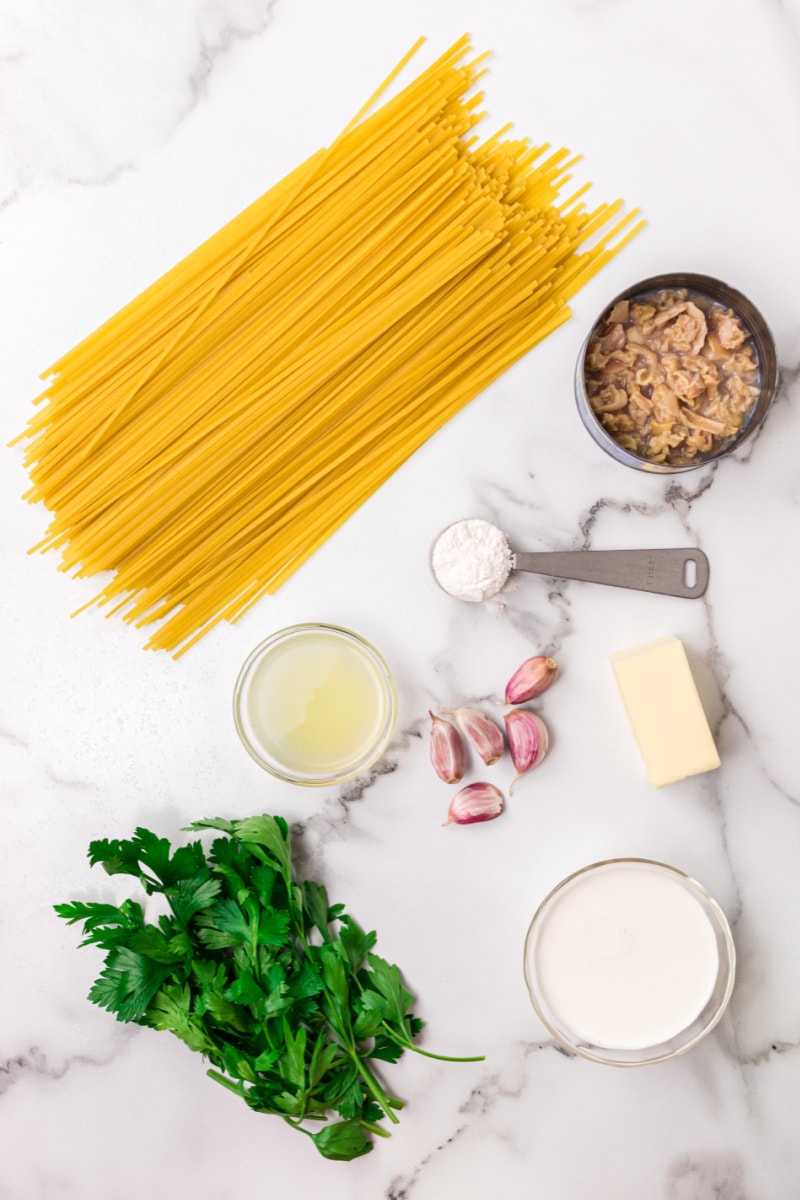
(665, 711)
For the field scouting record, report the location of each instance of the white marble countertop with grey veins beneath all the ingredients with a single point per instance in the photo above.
(130, 131)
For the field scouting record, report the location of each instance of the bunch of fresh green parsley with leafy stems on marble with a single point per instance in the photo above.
(256, 971)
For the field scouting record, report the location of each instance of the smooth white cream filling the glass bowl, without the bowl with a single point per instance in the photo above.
(627, 958)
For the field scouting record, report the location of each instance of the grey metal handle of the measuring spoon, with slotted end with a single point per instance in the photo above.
(667, 572)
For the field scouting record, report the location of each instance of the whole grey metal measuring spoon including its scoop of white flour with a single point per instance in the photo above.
(673, 573)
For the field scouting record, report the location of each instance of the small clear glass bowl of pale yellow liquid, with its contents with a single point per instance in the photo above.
(315, 705)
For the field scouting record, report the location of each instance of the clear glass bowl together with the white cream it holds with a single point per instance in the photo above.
(629, 963)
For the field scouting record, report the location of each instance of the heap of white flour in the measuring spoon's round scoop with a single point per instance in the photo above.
(472, 560)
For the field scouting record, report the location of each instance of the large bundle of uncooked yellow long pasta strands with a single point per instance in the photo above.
(209, 437)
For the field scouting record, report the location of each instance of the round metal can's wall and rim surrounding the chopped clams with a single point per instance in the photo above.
(766, 353)
